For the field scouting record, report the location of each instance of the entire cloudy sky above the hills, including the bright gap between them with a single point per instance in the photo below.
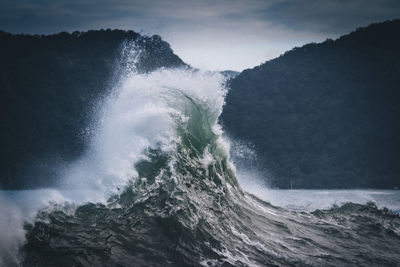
(210, 34)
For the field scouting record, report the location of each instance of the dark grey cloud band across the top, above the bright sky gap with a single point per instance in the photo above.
(311, 15)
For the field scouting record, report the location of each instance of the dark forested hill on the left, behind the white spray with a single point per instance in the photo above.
(48, 85)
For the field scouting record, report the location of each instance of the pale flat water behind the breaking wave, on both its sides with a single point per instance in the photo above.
(29, 202)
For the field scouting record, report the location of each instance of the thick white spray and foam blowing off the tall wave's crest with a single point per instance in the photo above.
(144, 112)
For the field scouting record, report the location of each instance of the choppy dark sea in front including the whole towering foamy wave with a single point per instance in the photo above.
(157, 188)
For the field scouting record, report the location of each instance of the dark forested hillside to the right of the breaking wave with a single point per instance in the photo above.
(325, 115)
